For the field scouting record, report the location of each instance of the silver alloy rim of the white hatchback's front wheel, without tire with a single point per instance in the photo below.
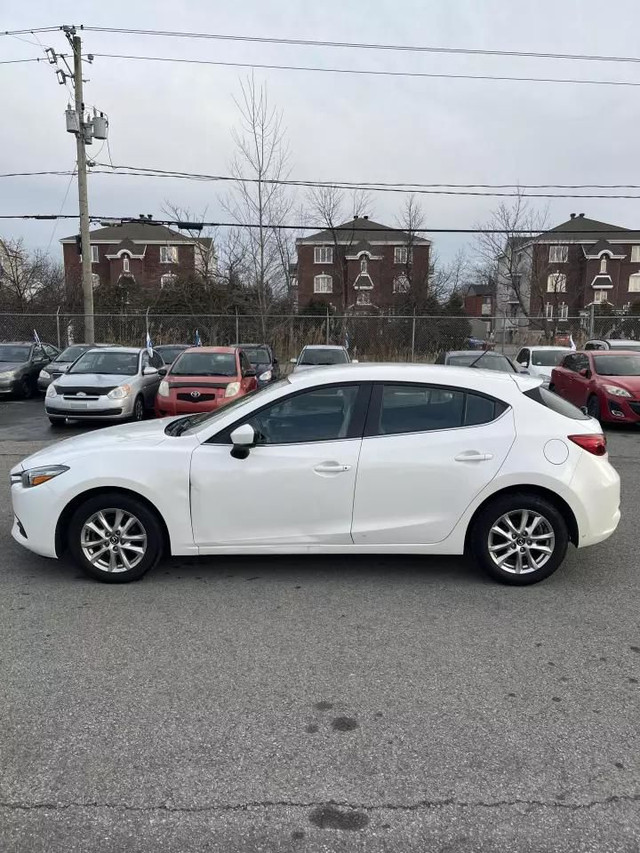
(113, 540)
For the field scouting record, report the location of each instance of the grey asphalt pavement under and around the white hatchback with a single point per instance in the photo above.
(319, 704)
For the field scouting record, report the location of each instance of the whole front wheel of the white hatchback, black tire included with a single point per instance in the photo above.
(115, 538)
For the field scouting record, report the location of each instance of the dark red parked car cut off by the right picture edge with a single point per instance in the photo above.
(607, 382)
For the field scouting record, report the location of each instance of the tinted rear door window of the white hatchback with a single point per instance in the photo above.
(398, 409)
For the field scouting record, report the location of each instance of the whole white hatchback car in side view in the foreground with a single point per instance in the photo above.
(395, 459)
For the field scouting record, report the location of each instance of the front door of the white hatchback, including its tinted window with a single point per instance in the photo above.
(297, 484)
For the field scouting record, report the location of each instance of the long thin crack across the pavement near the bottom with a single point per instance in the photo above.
(266, 804)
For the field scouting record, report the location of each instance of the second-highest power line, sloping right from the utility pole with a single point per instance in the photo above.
(366, 72)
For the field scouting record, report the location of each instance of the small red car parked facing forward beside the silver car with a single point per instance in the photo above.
(202, 379)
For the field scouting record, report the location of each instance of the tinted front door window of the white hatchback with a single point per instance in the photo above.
(323, 414)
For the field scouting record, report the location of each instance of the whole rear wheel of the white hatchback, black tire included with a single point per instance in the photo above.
(482, 535)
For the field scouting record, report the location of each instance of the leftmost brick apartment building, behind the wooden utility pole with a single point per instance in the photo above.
(148, 255)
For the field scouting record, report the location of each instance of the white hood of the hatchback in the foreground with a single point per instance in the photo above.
(145, 433)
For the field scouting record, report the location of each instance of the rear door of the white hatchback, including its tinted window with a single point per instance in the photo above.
(427, 452)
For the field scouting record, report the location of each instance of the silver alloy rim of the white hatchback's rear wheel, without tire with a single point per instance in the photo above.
(521, 541)
